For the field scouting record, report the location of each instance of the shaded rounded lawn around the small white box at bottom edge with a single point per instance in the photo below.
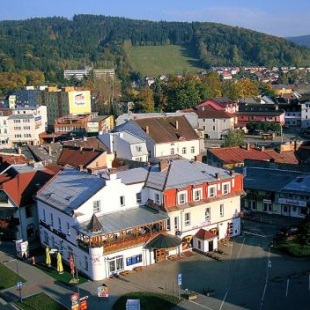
(148, 301)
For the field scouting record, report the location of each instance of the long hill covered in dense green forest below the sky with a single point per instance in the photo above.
(53, 44)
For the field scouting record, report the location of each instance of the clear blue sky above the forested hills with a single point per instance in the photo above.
(277, 17)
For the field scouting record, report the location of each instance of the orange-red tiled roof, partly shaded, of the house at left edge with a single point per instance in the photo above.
(24, 186)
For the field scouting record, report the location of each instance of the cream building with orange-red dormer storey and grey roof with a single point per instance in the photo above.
(196, 196)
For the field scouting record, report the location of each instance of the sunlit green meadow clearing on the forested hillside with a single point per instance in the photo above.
(167, 59)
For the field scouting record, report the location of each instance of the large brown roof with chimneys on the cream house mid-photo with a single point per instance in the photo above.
(168, 129)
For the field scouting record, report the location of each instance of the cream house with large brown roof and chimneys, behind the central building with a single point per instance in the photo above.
(165, 136)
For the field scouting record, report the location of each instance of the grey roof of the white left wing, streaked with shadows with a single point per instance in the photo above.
(69, 189)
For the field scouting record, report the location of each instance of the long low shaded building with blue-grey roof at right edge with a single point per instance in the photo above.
(288, 193)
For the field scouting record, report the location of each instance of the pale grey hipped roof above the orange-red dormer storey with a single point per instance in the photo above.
(182, 172)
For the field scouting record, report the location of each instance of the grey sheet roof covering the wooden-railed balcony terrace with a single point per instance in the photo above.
(127, 219)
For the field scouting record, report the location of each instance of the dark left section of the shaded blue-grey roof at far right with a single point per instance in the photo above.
(272, 180)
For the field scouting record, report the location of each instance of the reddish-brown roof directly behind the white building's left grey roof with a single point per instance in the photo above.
(77, 157)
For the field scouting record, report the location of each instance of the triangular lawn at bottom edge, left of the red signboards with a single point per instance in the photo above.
(38, 302)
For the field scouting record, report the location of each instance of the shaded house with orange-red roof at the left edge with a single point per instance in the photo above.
(18, 186)
